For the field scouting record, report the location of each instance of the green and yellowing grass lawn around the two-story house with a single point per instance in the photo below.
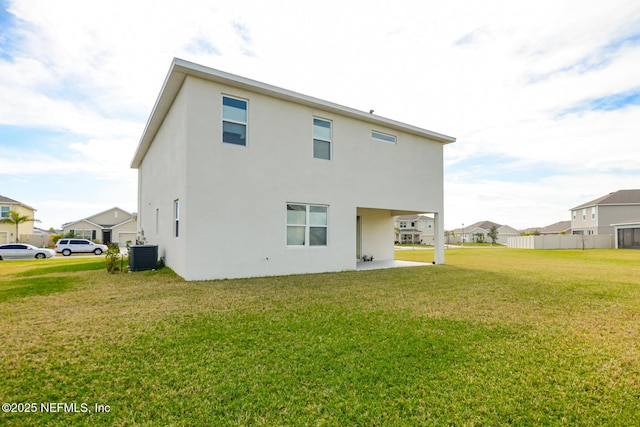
(495, 337)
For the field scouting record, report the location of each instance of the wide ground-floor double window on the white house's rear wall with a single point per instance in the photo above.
(307, 225)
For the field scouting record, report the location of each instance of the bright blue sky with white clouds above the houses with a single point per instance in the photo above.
(544, 101)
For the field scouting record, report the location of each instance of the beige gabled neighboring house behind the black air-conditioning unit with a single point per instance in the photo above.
(113, 225)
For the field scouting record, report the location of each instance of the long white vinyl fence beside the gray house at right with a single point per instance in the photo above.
(562, 241)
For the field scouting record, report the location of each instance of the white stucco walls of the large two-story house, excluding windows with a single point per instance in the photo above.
(233, 198)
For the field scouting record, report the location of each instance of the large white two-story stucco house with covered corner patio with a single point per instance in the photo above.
(238, 178)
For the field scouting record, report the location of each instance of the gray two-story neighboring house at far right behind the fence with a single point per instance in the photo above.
(599, 215)
